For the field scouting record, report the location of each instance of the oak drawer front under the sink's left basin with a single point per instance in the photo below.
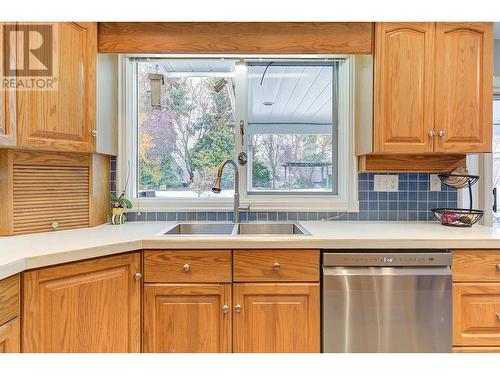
(187, 266)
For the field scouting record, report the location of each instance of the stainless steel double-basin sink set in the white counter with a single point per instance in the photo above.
(207, 228)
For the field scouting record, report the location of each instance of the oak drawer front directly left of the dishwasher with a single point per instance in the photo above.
(276, 265)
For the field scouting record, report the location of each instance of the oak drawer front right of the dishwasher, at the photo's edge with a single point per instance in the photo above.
(476, 265)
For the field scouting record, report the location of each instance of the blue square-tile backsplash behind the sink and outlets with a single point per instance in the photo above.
(412, 202)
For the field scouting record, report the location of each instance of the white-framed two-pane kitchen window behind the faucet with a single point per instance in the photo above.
(290, 118)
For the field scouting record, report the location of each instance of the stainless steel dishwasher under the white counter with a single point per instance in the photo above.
(386, 302)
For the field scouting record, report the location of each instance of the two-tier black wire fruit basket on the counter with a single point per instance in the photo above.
(458, 217)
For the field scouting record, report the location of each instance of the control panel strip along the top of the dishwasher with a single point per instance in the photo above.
(387, 259)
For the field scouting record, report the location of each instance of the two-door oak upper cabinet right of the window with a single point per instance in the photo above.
(433, 88)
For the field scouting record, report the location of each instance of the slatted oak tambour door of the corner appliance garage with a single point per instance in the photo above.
(50, 194)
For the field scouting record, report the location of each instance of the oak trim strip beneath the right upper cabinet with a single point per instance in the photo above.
(410, 163)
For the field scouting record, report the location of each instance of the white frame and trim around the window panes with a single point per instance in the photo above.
(345, 201)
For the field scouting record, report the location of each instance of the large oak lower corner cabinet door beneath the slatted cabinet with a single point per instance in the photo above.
(87, 306)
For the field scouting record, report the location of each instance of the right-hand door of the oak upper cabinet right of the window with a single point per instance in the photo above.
(464, 87)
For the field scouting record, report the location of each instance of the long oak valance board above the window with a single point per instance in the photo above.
(236, 37)
